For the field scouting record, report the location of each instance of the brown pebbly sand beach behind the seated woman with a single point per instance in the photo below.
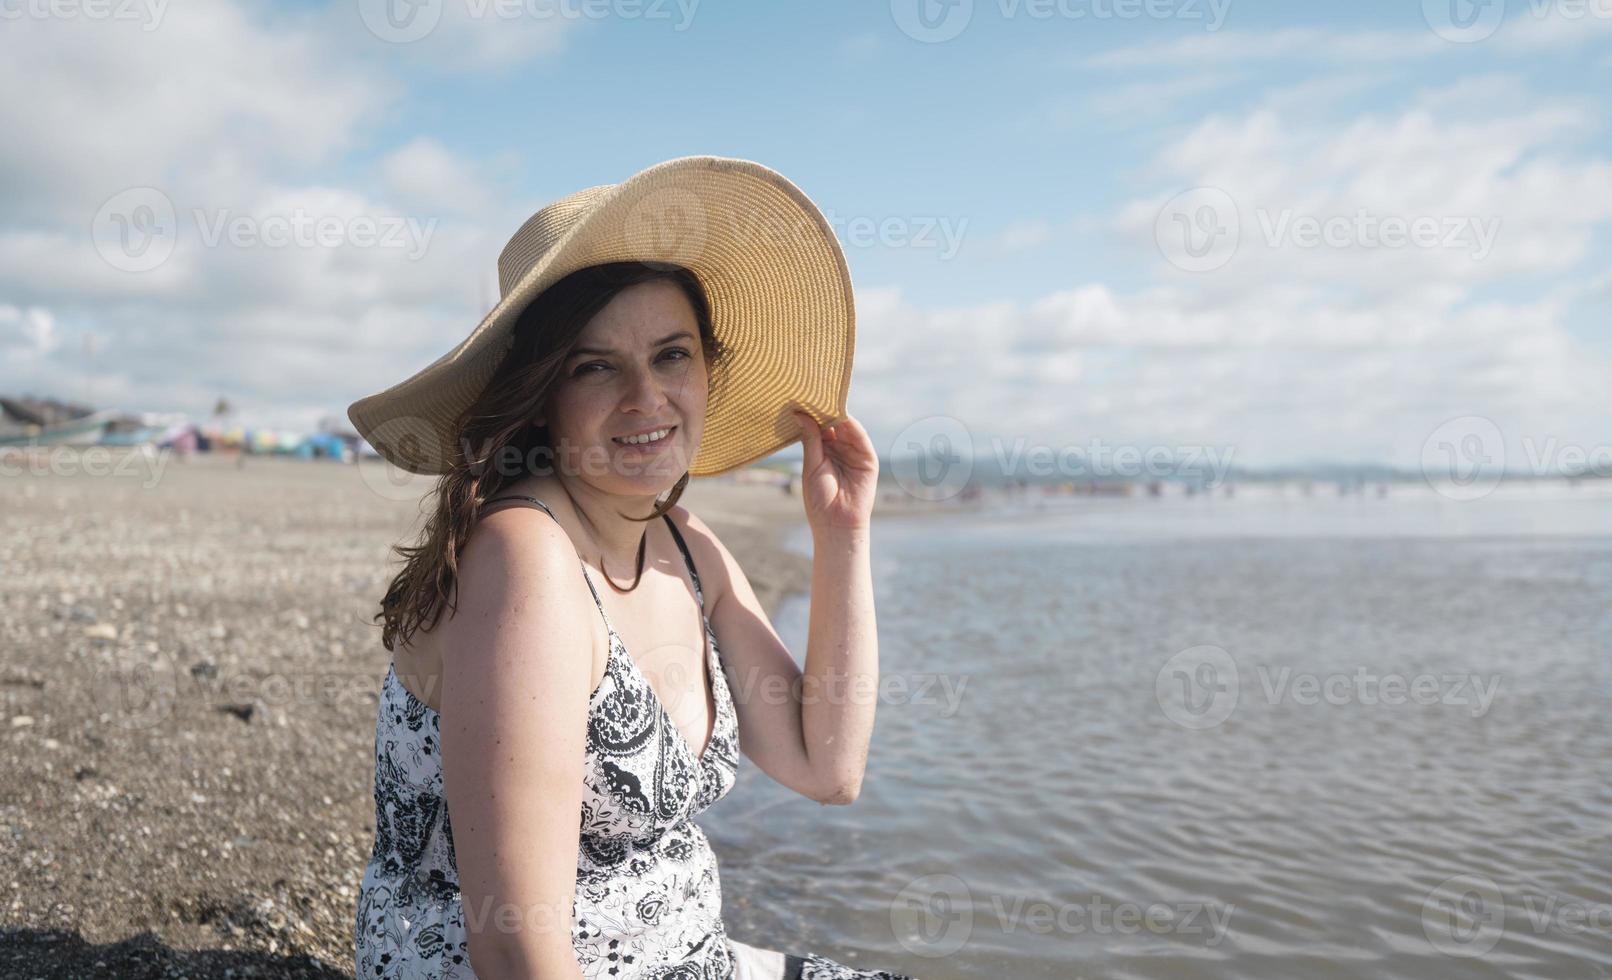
(188, 707)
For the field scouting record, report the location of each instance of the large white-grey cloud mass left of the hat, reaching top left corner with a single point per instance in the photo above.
(222, 112)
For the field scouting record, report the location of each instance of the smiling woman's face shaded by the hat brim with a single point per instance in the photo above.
(638, 368)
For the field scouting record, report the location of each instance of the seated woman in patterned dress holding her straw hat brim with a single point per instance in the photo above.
(613, 370)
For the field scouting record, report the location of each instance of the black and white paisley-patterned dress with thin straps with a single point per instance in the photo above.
(649, 899)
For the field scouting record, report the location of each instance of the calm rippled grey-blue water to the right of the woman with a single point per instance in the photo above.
(1253, 737)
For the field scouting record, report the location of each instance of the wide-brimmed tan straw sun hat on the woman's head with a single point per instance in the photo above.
(779, 288)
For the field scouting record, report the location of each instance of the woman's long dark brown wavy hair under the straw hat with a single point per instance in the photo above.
(499, 428)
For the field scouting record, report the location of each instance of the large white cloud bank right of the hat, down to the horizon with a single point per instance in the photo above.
(1294, 354)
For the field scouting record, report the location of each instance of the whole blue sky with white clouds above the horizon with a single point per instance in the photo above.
(1031, 168)
